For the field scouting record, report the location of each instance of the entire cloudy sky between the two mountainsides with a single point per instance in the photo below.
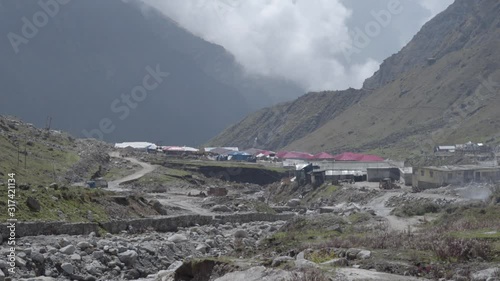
(320, 44)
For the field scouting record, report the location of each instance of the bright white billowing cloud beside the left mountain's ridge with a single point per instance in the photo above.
(294, 39)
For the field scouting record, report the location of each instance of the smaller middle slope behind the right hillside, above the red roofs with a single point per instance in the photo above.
(277, 126)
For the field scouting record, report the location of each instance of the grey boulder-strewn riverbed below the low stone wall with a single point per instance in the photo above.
(128, 256)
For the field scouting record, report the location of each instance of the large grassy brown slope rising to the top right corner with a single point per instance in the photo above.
(415, 102)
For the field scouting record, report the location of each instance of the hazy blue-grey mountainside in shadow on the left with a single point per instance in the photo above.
(89, 54)
